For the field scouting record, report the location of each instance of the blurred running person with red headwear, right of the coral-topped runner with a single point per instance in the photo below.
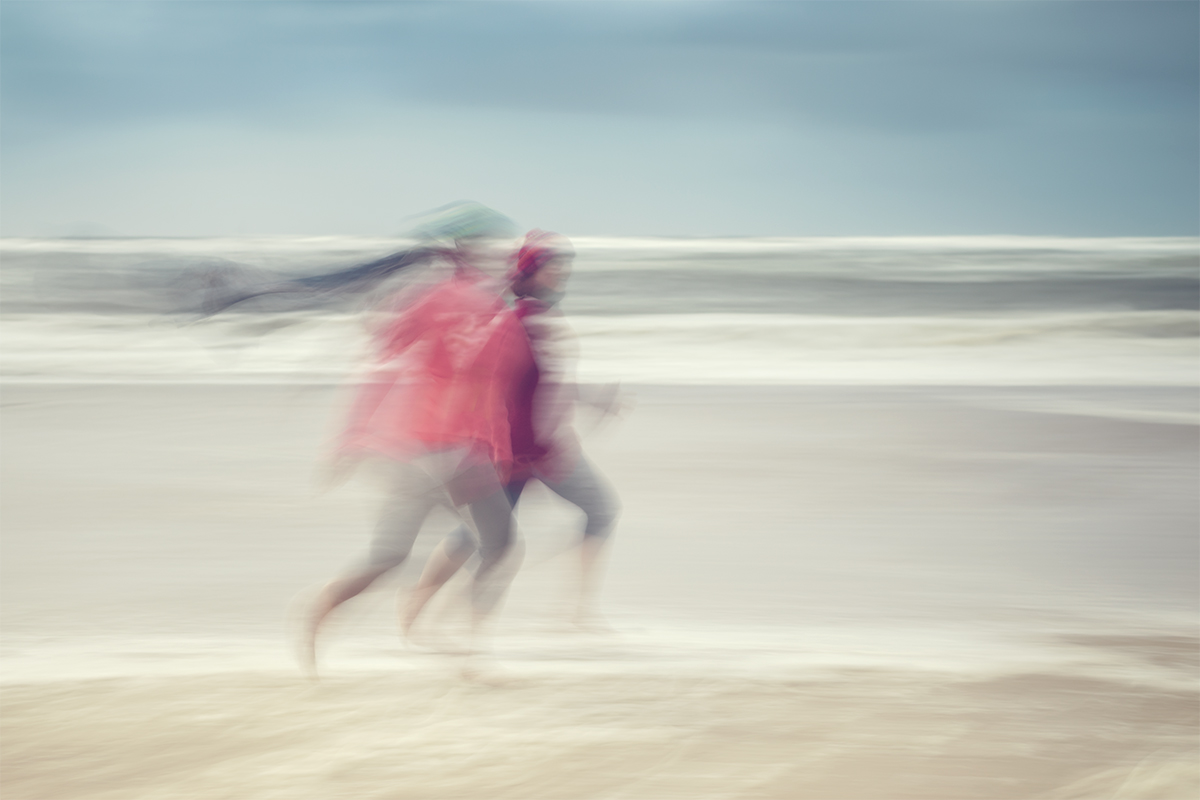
(544, 443)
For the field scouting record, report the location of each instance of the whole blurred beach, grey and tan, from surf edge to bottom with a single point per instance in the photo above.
(142, 521)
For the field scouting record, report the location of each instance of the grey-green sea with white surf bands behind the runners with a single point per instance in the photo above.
(946, 311)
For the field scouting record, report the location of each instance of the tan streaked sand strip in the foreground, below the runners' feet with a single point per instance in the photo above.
(862, 737)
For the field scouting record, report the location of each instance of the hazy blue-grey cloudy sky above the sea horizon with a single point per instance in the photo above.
(839, 118)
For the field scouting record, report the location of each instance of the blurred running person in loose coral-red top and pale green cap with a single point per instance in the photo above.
(436, 412)
